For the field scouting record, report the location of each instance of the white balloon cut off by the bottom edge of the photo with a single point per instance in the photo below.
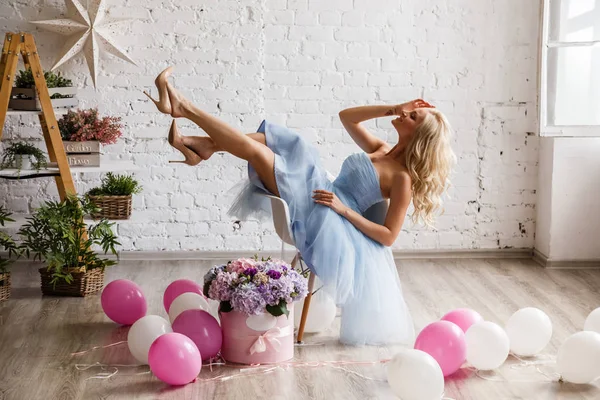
(415, 375)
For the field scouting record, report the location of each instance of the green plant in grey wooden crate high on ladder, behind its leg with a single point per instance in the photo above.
(24, 95)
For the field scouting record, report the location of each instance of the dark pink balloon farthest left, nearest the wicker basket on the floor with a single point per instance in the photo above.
(123, 302)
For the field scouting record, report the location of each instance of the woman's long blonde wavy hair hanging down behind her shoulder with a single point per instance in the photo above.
(429, 159)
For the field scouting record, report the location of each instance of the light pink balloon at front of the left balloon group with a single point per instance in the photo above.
(174, 359)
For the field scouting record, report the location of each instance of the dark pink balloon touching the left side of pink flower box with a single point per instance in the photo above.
(203, 329)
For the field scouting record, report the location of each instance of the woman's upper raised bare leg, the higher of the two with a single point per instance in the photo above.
(227, 138)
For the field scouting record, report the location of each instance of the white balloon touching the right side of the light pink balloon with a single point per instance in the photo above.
(487, 345)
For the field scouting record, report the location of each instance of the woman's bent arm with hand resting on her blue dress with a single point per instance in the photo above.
(387, 233)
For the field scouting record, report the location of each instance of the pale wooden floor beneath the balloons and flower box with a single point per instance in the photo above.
(38, 335)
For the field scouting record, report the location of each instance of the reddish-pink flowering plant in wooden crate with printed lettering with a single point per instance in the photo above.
(83, 131)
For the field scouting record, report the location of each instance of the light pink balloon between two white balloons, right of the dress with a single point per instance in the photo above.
(444, 341)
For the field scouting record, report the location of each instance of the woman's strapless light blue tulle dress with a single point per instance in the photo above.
(358, 272)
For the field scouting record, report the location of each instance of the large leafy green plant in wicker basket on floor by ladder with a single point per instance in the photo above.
(57, 234)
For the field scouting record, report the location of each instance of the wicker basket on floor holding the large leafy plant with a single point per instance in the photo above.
(84, 283)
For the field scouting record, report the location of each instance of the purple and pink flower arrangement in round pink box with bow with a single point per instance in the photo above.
(256, 308)
